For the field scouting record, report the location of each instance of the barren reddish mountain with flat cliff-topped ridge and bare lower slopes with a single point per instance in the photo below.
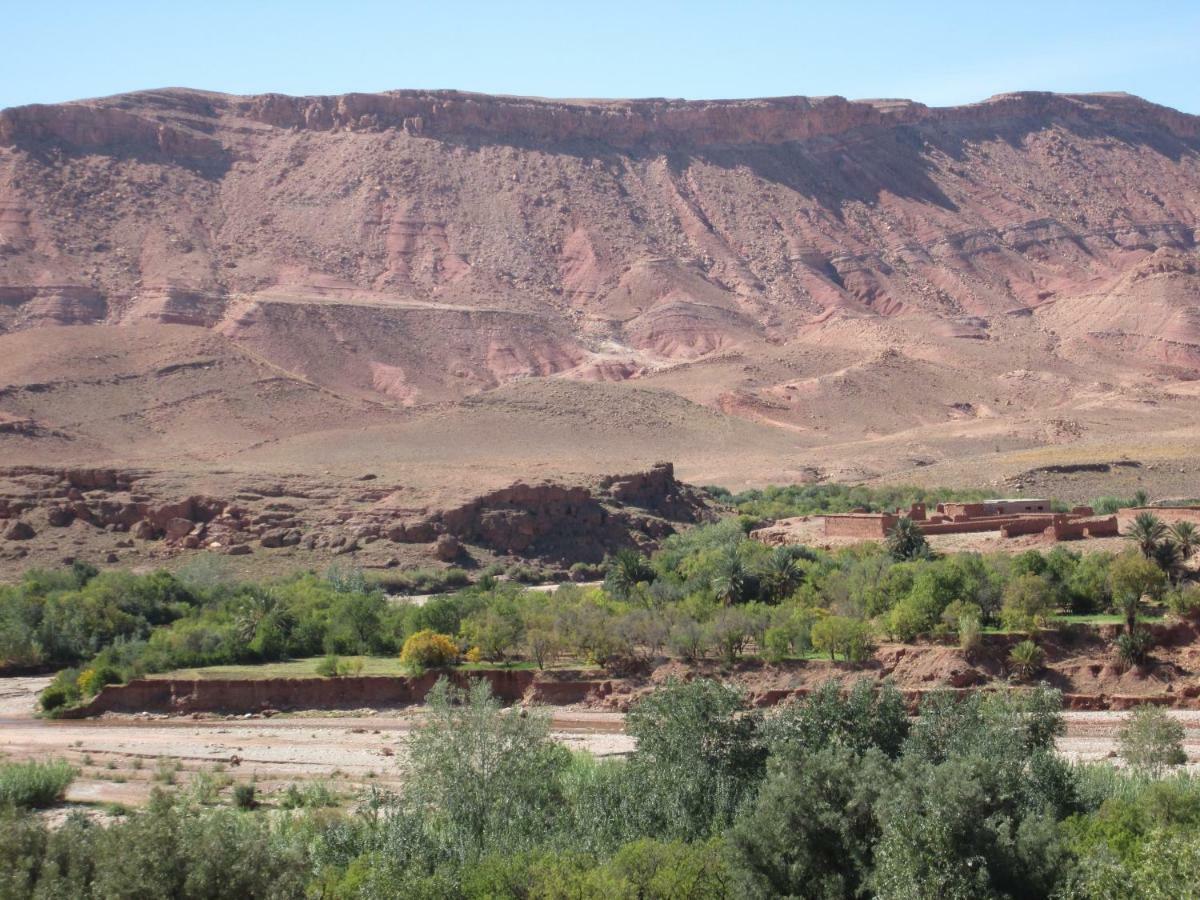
(457, 287)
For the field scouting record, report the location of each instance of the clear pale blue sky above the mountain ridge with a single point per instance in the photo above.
(939, 53)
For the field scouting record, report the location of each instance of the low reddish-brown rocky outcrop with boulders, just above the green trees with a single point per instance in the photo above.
(128, 511)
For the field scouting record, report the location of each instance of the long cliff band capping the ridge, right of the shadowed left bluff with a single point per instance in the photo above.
(673, 123)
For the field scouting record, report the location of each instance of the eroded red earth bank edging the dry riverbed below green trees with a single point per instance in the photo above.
(1081, 663)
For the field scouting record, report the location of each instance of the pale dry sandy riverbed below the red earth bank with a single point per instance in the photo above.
(122, 759)
